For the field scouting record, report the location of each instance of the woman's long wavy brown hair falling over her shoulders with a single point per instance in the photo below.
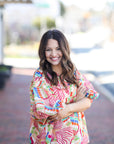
(66, 63)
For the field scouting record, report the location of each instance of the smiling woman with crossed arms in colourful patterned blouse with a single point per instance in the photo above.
(59, 95)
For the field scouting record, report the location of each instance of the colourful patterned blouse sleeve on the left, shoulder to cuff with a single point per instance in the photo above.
(39, 94)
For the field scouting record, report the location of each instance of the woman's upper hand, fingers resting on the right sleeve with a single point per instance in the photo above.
(81, 92)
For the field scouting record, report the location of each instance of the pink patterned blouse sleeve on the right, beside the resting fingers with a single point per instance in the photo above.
(82, 80)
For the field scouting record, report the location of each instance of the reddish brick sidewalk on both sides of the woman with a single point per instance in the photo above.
(14, 113)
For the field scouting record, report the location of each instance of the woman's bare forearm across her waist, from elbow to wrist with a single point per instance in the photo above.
(79, 106)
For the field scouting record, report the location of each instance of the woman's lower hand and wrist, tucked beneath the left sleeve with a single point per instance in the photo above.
(60, 115)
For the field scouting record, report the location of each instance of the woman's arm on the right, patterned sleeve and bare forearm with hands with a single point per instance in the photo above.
(84, 98)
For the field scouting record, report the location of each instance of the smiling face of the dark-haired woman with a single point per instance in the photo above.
(53, 53)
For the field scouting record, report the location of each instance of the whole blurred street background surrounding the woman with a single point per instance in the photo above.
(89, 28)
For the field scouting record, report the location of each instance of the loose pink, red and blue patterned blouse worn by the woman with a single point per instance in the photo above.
(47, 100)
